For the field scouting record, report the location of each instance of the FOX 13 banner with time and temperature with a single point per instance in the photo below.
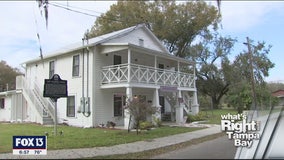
(29, 145)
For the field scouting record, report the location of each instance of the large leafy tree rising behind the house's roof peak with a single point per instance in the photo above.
(177, 25)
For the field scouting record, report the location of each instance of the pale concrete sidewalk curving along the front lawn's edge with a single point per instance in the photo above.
(119, 149)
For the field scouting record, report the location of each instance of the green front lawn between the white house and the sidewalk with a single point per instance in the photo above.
(74, 137)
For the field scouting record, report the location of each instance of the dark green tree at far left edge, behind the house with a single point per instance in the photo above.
(8, 76)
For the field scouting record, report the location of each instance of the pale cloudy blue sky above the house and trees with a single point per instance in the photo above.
(21, 21)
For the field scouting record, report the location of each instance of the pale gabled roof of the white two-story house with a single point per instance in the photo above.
(97, 40)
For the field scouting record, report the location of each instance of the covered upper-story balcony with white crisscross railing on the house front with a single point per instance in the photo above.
(135, 66)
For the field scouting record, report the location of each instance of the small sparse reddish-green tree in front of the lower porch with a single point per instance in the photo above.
(138, 109)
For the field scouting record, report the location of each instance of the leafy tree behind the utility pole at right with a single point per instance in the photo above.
(241, 92)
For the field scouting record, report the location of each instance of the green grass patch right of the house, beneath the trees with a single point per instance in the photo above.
(214, 116)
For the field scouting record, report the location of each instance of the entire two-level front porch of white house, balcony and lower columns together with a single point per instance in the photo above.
(169, 81)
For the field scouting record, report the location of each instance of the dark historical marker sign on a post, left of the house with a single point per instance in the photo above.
(55, 88)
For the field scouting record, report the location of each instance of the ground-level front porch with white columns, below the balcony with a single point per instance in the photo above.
(166, 100)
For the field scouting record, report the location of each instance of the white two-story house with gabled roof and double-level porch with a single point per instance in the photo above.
(102, 72)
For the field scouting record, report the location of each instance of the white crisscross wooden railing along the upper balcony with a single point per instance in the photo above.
(145, 75)
